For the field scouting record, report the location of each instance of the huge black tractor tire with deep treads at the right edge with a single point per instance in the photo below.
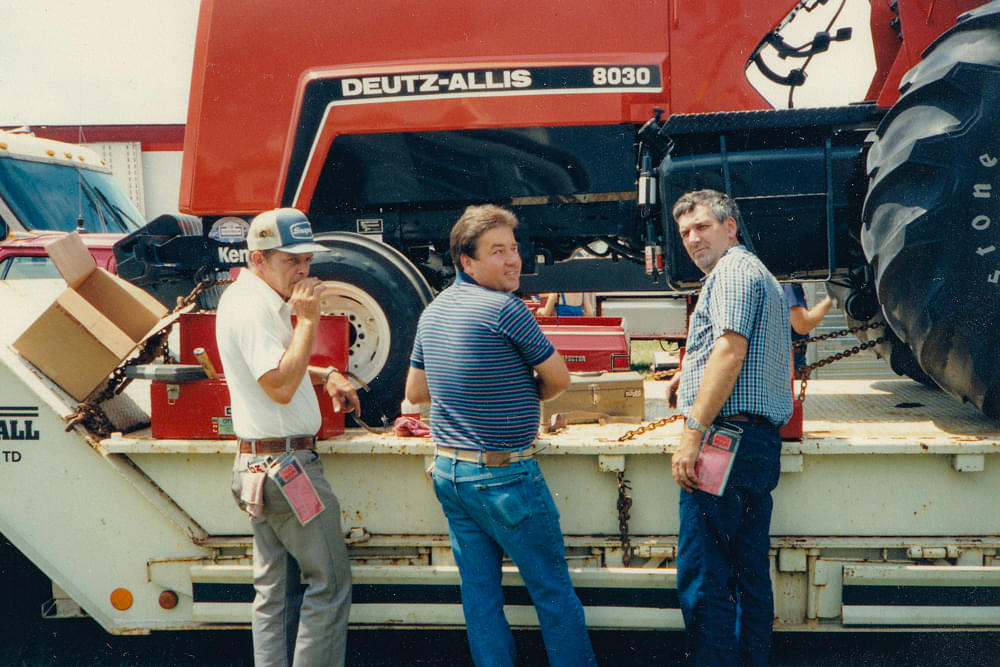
(931, 220)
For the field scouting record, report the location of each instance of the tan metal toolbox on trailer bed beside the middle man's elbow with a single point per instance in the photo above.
(617, 394)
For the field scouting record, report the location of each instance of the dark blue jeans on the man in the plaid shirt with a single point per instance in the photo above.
(723, 568)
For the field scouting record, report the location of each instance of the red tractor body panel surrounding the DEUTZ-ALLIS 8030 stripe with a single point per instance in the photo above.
(252, 64)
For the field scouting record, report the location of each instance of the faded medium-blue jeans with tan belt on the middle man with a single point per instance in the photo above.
(492, 511)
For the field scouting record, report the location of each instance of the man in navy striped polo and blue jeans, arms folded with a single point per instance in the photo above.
(481, 361)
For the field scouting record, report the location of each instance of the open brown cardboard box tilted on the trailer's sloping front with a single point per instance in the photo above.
(92, 326)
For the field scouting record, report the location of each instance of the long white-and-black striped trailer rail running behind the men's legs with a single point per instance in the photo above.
(429, 596)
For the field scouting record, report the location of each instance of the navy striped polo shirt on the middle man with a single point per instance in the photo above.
(477, 347)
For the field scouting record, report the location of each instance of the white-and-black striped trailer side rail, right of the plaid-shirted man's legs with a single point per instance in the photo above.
(921, 595)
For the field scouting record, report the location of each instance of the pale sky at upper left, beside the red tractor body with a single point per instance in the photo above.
(64, 62)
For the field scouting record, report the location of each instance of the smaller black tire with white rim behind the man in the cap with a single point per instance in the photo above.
(382, 294)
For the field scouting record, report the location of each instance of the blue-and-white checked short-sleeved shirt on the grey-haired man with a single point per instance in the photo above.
(741, 295)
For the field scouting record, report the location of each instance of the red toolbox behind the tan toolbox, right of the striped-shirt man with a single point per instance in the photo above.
(589, 343)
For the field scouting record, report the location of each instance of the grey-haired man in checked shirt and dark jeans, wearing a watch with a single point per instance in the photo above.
(737, 373)
